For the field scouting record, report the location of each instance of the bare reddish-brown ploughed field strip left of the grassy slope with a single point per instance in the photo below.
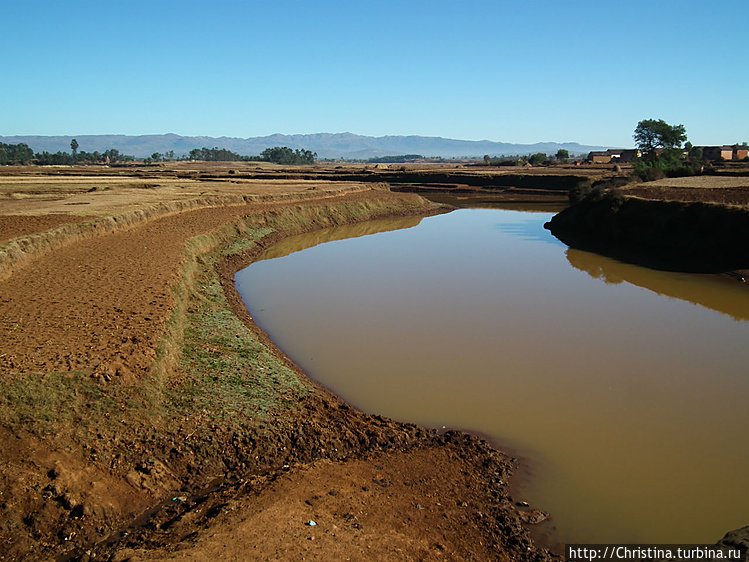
(102, 301)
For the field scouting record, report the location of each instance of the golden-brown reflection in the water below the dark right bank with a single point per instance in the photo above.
(709, 291)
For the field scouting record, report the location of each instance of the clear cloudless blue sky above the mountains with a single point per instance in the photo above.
(520, 71)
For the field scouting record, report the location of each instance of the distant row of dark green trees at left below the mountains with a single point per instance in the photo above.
(22, 154)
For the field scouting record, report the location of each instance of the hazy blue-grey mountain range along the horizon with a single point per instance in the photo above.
(326, 145)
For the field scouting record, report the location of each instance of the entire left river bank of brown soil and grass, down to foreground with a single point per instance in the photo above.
(144, 416)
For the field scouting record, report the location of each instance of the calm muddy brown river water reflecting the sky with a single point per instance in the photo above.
(625, 390)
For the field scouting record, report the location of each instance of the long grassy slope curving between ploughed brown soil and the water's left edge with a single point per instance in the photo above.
(226, 370)
